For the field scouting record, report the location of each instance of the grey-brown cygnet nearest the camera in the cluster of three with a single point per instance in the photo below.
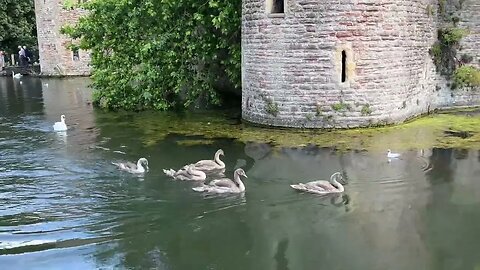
(225, 185)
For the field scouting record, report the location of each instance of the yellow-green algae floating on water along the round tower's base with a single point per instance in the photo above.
(427, 132)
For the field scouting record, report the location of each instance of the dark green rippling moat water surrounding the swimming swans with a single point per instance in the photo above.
(64, 206)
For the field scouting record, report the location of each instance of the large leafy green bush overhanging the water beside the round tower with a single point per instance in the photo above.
(160, 55)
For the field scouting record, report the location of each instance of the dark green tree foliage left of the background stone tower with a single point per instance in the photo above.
(17, 25)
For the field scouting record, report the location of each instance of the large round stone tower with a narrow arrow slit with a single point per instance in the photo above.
(330, 63)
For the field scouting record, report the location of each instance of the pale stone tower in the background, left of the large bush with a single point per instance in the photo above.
(55, 57)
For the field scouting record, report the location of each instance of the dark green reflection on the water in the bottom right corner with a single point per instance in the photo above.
(451, 217)
